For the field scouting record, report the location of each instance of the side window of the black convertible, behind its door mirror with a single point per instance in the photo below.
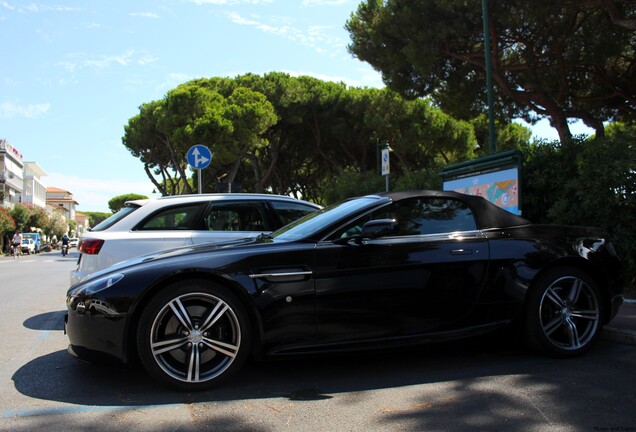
(419, 216)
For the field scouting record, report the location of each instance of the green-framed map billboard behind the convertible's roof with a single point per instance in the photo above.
(496, 178)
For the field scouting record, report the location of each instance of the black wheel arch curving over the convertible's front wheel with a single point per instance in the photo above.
(131, 353)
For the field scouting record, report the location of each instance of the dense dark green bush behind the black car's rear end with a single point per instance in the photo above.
(590, 182)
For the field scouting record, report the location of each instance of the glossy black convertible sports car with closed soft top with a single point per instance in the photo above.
(372, 272)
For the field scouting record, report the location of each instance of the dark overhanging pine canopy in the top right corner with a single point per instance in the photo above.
(564, 60)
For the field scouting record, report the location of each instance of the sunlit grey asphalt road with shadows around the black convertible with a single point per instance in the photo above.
(489, 384)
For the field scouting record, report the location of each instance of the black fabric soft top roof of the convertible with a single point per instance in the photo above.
(486, 213)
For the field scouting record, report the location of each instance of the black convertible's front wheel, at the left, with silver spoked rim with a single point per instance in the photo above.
(193, 335)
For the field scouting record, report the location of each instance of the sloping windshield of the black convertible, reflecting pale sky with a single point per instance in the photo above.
(316, 222)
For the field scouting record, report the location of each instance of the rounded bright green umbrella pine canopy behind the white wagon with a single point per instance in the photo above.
(289, 135)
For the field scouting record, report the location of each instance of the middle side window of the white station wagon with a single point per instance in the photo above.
(234, 216)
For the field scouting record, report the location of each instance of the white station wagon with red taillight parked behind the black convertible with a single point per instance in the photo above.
(146, 226)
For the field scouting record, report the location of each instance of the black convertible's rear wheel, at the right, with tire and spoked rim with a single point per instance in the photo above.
(564, 315)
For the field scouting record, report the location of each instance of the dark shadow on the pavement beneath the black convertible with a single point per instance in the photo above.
(59, 377)
